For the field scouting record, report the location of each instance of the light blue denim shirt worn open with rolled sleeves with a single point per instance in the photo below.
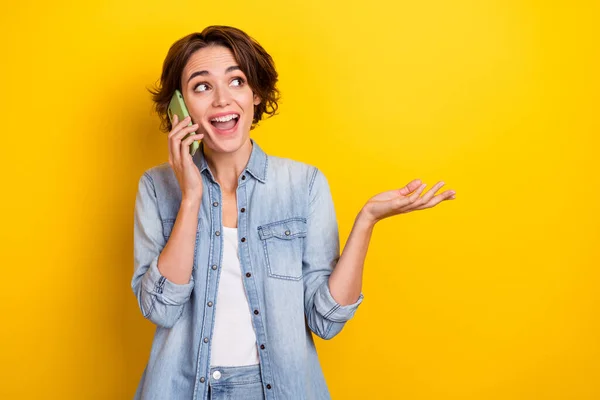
(288, 247)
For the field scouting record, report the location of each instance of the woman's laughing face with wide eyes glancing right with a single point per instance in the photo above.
(218, 97)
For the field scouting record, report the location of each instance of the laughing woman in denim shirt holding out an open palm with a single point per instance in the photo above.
(237, 257)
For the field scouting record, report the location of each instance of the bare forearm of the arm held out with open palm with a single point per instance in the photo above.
(345, 282)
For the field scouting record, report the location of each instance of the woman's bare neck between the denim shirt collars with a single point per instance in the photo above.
(227, 167)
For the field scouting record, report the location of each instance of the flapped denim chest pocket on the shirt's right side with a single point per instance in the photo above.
(283, 243)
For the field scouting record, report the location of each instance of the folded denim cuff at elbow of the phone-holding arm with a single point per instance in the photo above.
(166, 291)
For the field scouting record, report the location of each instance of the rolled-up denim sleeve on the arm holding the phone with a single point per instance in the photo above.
(160, 300)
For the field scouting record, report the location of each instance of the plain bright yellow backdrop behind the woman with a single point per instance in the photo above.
(494, 295)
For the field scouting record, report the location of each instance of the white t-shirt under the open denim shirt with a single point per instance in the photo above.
(234, 340)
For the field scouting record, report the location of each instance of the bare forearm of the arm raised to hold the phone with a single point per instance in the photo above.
(176, 259)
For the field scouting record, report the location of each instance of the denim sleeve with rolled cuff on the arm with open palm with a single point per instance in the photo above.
(325, 317)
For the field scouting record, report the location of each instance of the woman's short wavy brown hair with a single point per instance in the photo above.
(252, 59)
